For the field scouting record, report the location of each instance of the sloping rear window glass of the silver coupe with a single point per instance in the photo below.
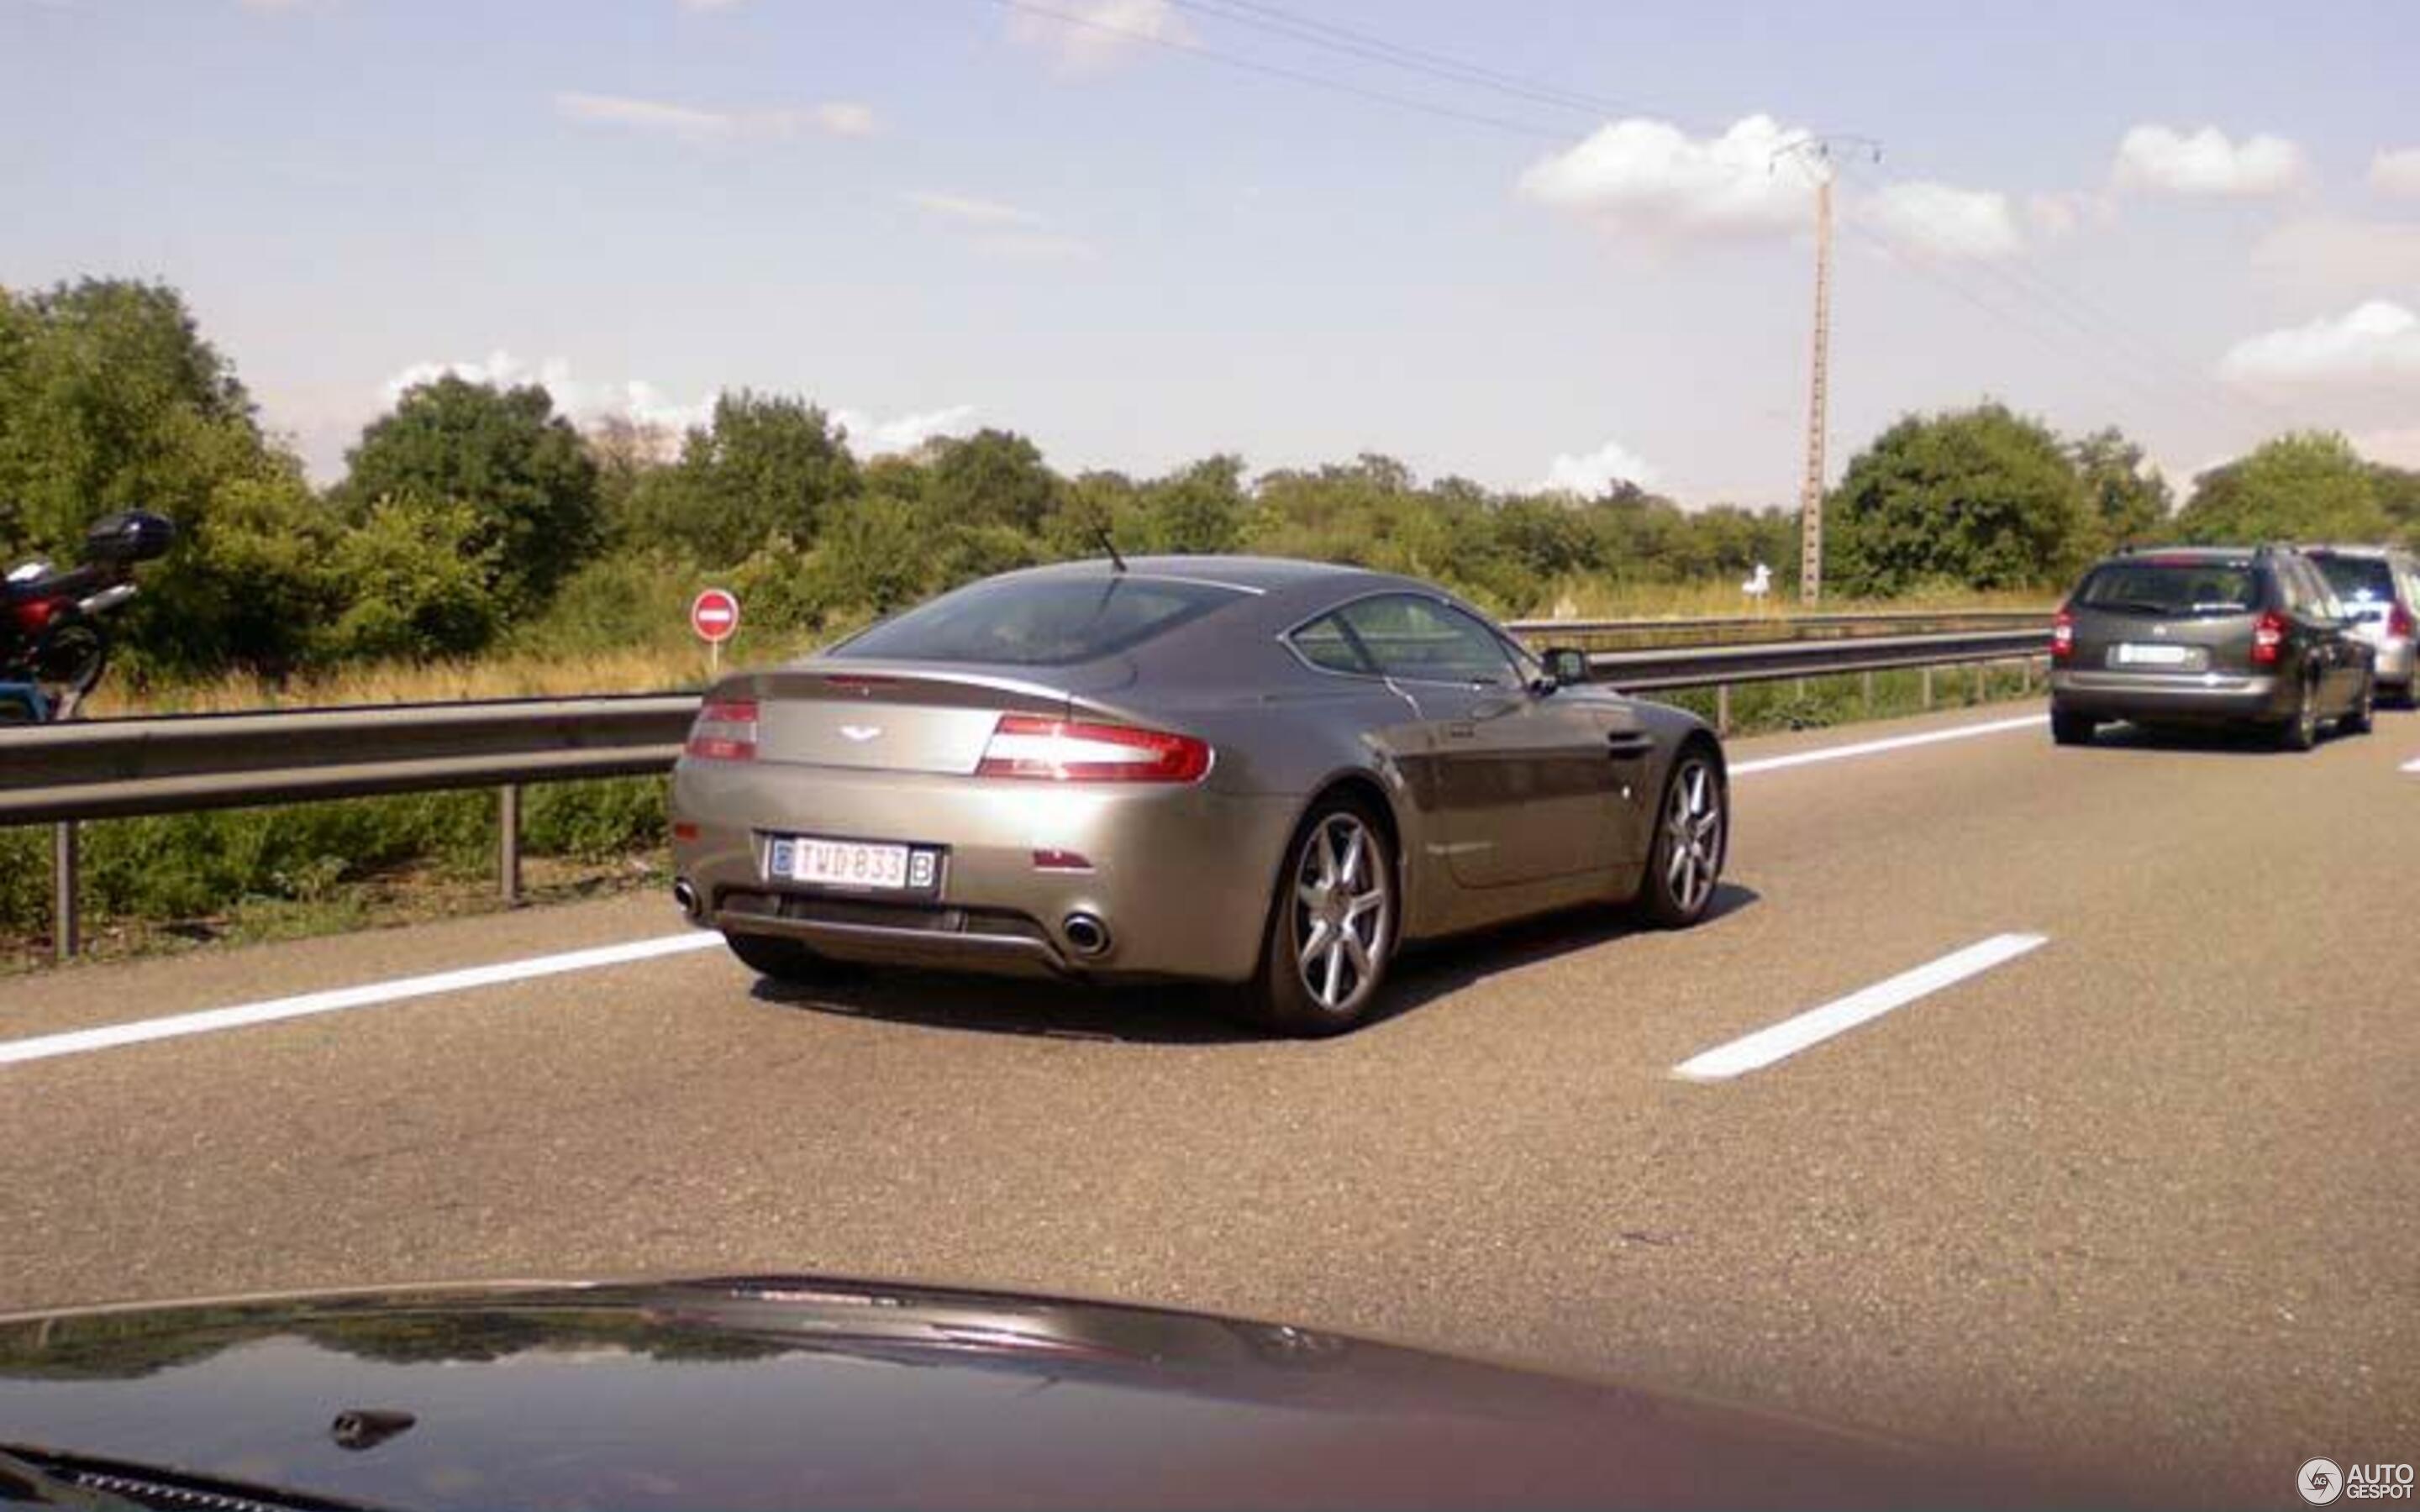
(1035, 623)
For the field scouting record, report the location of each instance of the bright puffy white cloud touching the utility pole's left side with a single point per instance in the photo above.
(1656, 180)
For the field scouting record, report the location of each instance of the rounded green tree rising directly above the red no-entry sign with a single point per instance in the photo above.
(766, 466)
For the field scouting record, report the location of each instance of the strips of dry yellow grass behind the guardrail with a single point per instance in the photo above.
(657, 669)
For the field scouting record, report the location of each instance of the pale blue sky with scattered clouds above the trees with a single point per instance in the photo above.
(938, 214)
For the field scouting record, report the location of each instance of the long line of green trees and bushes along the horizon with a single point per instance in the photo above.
(478, 516)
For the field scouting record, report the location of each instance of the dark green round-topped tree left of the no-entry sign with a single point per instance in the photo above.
(505, 456)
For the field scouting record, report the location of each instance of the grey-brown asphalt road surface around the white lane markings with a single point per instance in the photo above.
(2140, 1201)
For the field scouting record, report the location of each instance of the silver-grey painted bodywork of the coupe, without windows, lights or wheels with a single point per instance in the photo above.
(1504, 802)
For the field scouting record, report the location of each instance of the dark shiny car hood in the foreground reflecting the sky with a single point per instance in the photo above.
(809, 1392)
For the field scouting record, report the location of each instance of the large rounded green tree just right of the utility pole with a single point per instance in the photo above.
(1978, 497)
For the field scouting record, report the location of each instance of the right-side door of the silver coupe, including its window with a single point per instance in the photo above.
(1523, 778)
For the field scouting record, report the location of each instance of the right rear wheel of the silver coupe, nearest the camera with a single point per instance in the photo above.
(1332, 925)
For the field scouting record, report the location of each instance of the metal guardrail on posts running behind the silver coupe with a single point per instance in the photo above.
(120, 768)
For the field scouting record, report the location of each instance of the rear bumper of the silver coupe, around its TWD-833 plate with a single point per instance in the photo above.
(1180, 875)
